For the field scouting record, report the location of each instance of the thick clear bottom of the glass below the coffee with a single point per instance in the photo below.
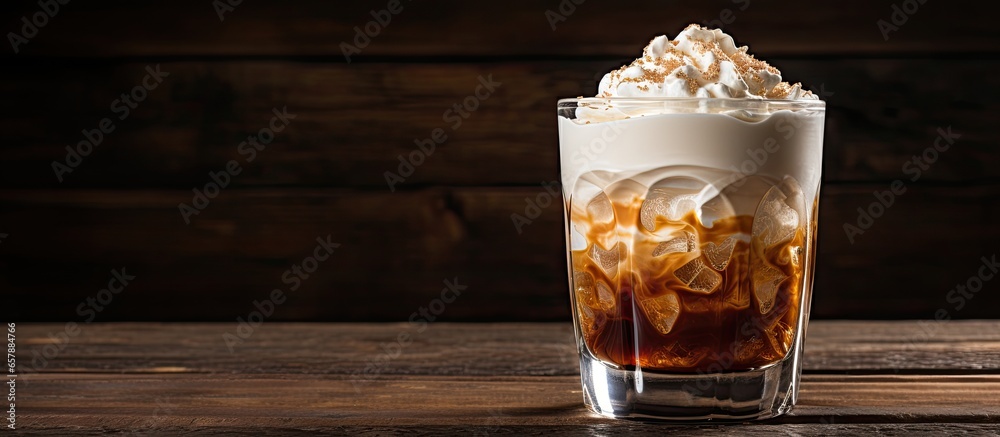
(698, 397)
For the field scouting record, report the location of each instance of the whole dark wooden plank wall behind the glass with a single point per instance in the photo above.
(324, 174)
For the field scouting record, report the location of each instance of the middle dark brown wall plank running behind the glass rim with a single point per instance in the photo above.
(350, 136)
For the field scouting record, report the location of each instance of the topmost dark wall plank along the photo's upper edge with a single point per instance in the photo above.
(317, 28)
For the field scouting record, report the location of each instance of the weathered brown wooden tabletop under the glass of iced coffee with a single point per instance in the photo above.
(861, 378)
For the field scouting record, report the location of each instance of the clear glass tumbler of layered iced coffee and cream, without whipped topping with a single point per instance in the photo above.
(691, 228)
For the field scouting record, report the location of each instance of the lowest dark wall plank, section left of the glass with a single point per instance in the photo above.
(396, 252)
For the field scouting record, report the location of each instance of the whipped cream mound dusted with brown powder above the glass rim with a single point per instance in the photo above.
(701, 63)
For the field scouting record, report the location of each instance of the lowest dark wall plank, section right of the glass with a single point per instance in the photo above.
(893, 253)
